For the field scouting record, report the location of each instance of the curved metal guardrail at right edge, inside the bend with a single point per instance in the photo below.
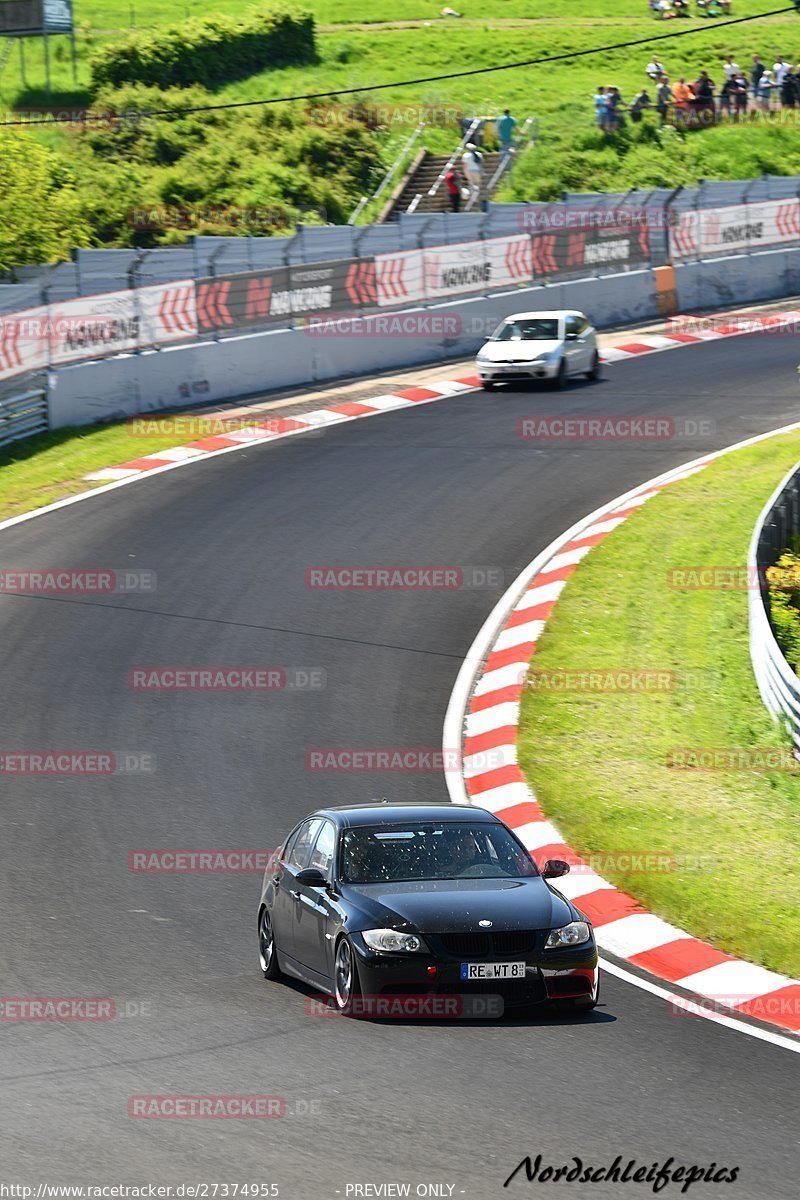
(778, 683)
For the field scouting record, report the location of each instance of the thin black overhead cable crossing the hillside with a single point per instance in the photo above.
(140, 115)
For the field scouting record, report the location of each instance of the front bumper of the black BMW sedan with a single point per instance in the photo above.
(551, 976)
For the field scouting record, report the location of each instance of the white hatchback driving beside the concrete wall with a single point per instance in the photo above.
(540, 346)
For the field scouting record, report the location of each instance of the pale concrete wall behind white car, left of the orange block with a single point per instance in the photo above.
(112, 389)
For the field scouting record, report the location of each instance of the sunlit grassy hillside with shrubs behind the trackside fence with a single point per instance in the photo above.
(278, 157)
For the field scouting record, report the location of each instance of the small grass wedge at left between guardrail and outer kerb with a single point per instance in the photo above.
(51, 466)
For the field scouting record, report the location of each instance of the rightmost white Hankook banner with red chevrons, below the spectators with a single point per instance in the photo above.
(736, 227)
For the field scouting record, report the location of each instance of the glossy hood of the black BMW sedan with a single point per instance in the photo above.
(455, 907)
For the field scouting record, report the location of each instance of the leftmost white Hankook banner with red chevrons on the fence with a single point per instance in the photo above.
(95, 327)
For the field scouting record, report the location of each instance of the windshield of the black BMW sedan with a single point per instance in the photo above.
(426, 851)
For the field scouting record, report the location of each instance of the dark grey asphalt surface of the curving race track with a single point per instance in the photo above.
(231, 542)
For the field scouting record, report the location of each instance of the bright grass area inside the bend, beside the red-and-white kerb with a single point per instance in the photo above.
(599, 761)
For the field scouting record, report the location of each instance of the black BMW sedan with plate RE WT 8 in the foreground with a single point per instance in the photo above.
(398, 901)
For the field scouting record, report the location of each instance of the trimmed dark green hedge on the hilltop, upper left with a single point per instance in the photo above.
(209, 51)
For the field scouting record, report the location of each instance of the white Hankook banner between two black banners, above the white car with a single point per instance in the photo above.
(452, 271)
